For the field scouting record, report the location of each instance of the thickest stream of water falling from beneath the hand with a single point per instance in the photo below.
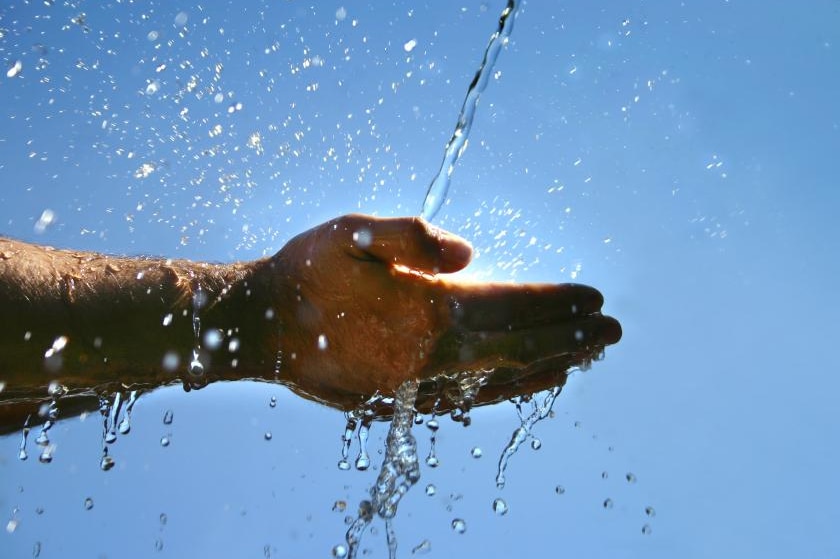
(400, 471)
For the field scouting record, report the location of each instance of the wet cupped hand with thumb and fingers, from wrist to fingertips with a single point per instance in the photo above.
(364, 307)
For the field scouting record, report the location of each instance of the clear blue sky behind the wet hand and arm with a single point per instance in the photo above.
(681, 157)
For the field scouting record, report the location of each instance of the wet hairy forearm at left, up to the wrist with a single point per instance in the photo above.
(87, 320)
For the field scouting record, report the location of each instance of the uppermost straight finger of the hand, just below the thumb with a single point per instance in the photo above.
(491, 307)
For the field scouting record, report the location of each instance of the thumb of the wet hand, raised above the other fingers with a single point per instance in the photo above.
(406, 241)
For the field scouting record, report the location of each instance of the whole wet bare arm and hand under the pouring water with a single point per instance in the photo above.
(347, 309)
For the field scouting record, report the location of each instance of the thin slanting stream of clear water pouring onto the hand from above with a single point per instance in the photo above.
(436, 194)
